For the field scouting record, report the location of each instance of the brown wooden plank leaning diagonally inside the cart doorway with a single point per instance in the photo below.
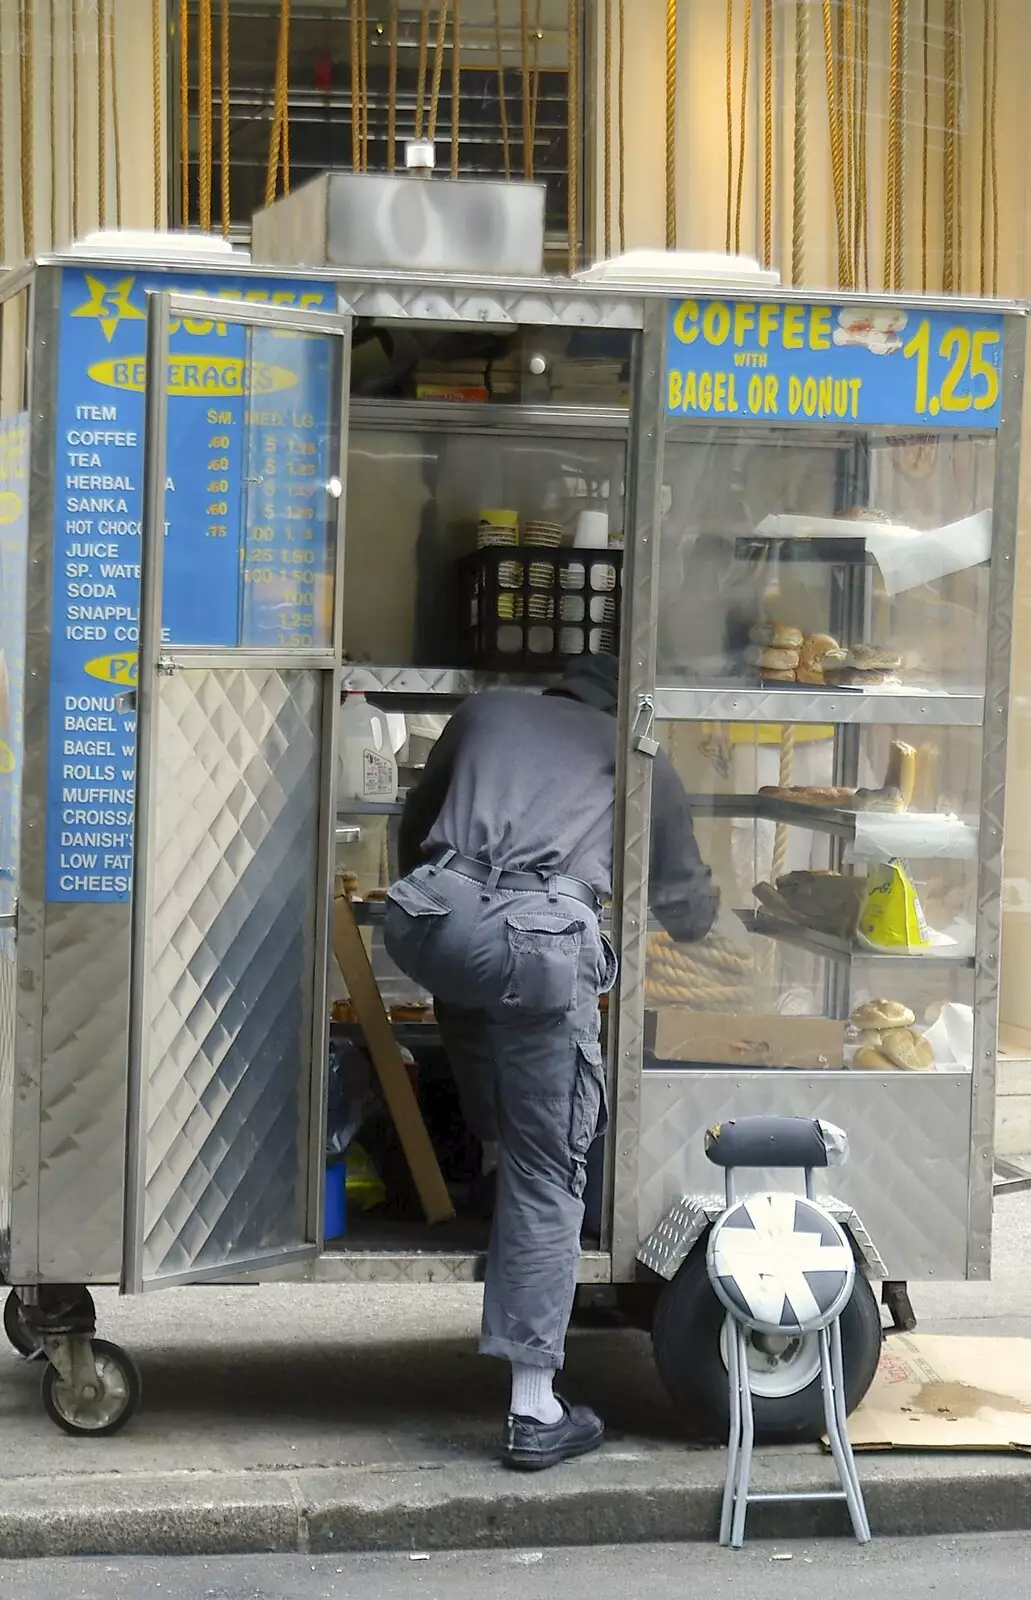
(364, 991)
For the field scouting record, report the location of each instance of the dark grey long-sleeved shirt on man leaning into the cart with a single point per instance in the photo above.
(526, 783)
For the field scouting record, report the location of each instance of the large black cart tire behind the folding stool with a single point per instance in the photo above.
(688, 1335)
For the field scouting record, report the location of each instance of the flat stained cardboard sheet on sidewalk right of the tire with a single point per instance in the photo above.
(949, 1393)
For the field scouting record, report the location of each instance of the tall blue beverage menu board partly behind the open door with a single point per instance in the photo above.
(214, 418)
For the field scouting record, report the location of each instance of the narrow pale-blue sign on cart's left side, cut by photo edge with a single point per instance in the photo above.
(14, 558)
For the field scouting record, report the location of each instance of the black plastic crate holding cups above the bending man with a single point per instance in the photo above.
(529, 609)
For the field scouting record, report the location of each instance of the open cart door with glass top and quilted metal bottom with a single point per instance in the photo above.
(238, 689)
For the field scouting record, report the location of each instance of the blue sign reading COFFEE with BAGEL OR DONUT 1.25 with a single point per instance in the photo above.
(830, 366)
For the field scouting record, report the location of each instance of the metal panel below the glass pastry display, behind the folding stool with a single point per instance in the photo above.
(907, 1174)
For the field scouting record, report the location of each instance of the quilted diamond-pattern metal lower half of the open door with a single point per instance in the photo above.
(235, 850)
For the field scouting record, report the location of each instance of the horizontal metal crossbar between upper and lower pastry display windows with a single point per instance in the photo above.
(804, 705)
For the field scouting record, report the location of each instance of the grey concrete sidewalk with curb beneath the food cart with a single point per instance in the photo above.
(329, 1418)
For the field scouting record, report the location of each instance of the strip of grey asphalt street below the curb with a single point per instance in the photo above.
(976, 1569)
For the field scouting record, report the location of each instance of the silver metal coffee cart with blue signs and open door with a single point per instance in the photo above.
(238, 489)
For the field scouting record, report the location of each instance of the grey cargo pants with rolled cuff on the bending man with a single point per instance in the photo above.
(516, 978)
